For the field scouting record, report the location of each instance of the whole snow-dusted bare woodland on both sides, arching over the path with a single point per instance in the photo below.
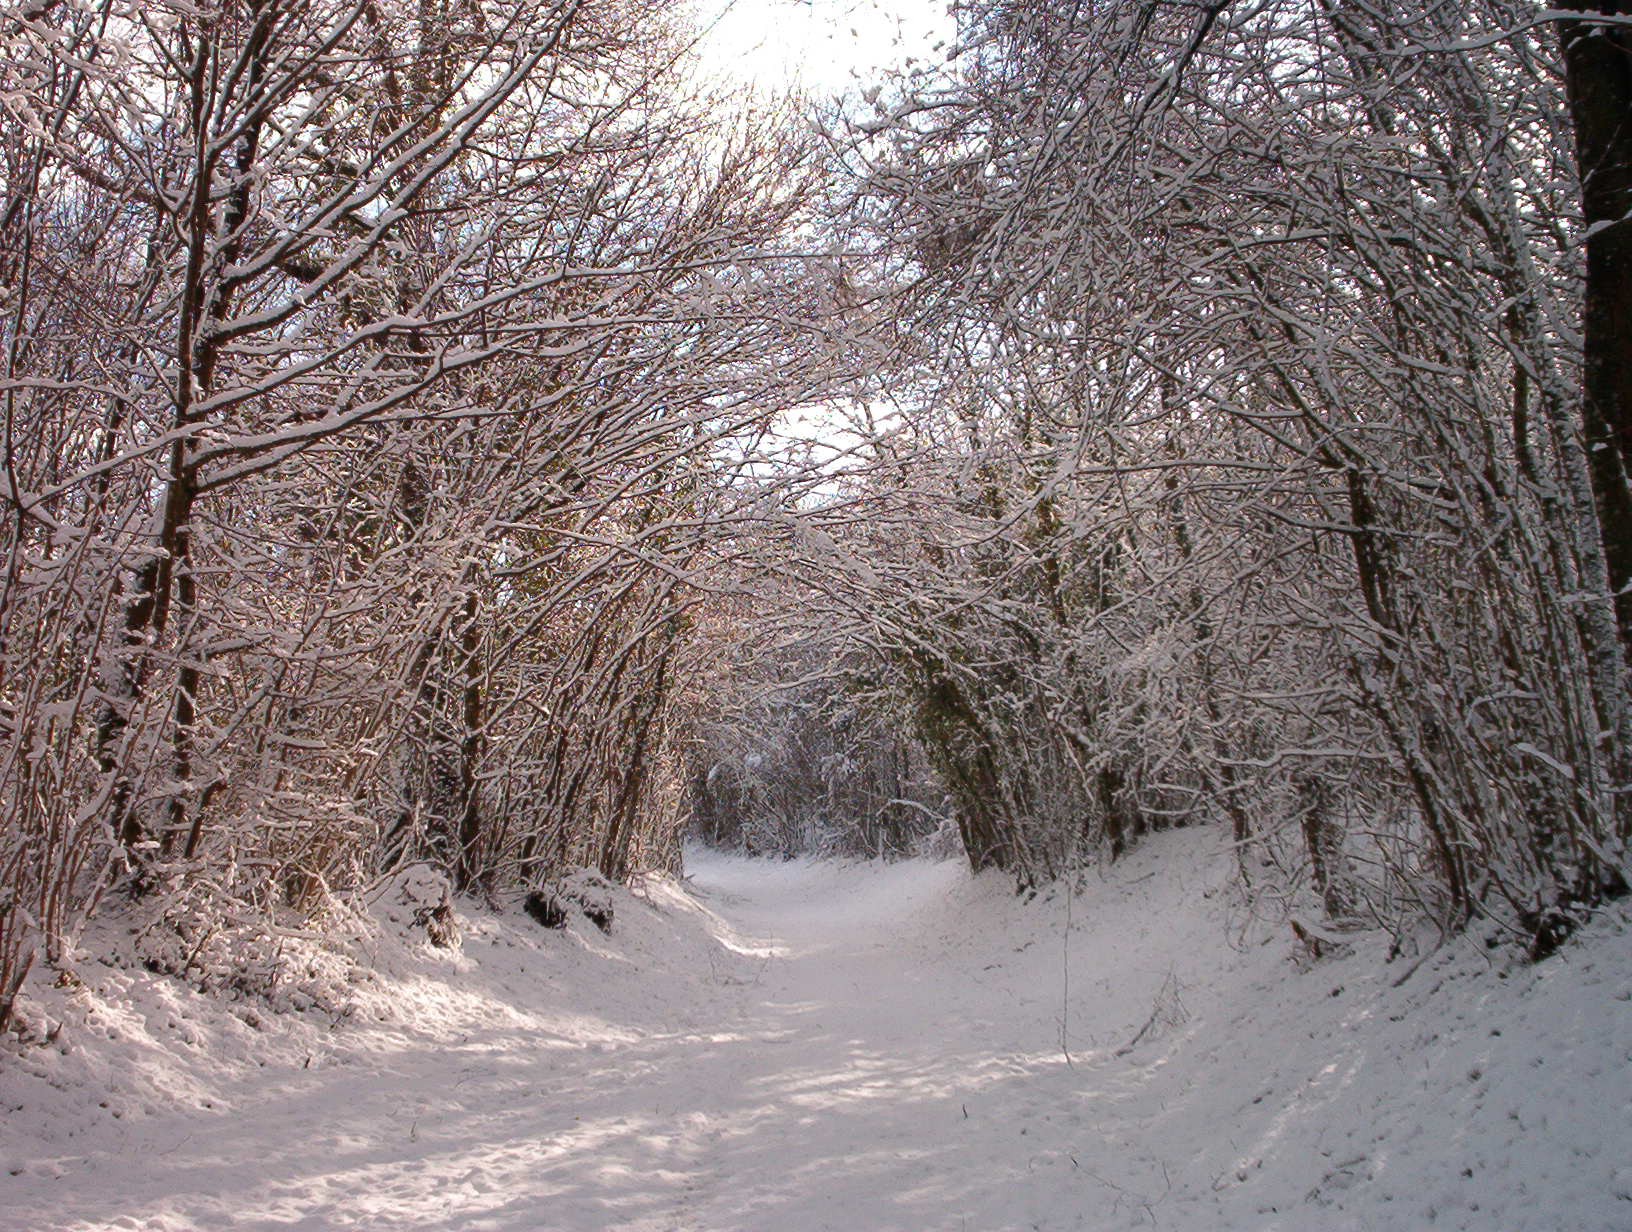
(455, 435)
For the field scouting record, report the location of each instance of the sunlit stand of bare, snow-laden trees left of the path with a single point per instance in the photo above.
(330, 329)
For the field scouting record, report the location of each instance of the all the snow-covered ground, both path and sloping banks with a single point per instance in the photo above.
(799, 1047)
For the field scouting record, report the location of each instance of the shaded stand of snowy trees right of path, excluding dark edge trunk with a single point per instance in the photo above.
(1293, 290)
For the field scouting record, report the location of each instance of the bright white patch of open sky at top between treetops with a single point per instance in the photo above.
(827, 47)
